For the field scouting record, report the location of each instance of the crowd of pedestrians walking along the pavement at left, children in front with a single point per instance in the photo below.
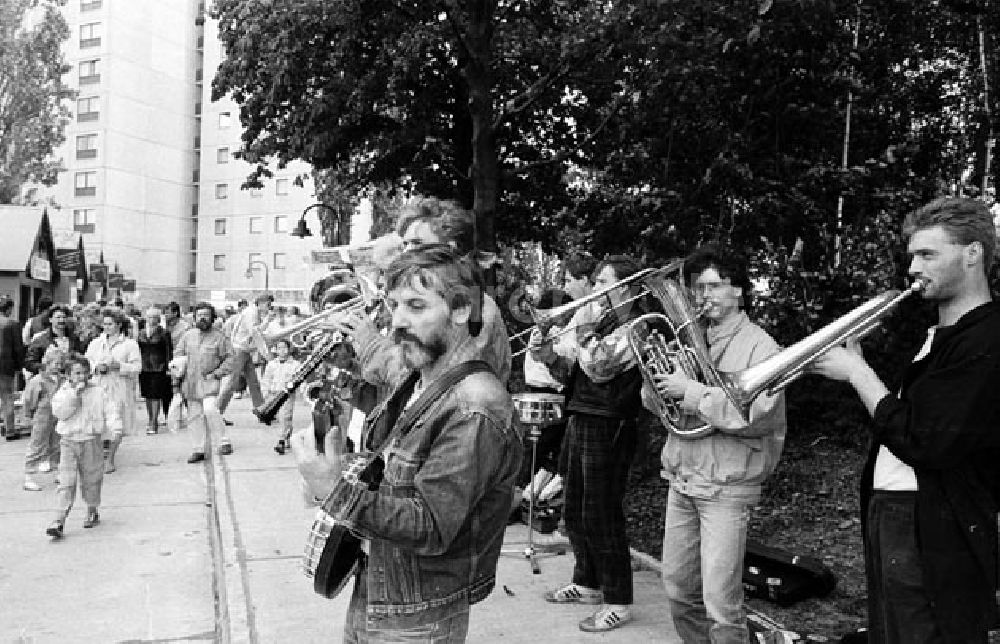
(78, 374)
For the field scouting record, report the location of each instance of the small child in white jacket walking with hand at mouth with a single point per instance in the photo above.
(84, 413)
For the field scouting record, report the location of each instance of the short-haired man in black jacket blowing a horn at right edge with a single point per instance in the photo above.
(929, 490)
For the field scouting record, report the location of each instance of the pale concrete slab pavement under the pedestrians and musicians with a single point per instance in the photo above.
(211, 552)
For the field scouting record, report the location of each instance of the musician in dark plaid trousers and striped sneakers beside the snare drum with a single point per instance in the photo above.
(602, 402)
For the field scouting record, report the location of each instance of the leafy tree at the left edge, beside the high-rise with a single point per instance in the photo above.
(33, 114)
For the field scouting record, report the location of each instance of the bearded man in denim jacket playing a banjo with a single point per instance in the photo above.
(434, 525)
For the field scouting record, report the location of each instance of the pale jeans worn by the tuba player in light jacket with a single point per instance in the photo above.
(703, 546)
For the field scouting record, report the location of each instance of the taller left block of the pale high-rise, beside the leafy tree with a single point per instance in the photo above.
(130, 158)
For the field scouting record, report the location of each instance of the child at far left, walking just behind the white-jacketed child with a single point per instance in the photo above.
(43, 450)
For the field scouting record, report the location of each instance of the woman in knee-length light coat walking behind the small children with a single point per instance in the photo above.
(116, 363)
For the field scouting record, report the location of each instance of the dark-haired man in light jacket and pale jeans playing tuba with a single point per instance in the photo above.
(717, 478)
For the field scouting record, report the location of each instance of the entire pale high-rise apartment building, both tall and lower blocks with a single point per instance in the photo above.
(151, 181)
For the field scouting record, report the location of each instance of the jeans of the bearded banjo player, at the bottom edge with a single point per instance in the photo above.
(449, 630)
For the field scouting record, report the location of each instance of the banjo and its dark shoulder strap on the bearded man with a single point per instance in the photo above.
(333, 553)
